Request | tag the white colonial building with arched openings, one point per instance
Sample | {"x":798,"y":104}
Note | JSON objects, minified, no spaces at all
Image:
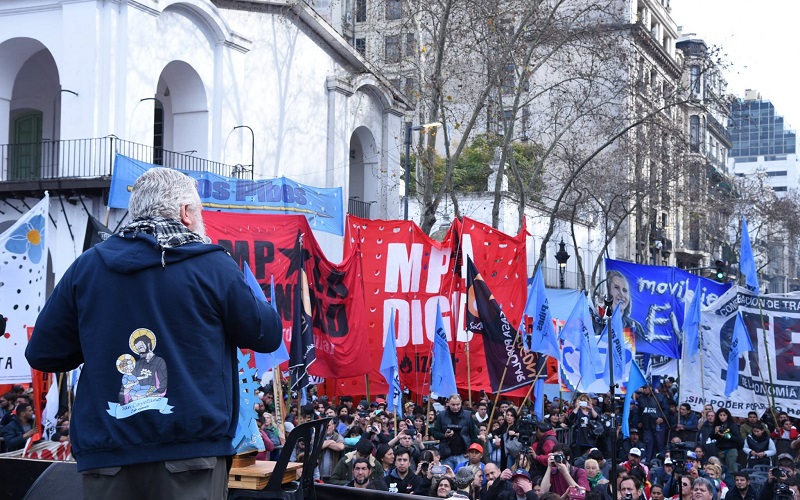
{"x":257,"y":89}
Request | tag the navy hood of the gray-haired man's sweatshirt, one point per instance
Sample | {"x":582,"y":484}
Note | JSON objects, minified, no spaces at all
{"x":131,"y":253}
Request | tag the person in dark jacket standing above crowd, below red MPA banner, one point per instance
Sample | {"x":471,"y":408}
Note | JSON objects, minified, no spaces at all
{"x":455,"y":429}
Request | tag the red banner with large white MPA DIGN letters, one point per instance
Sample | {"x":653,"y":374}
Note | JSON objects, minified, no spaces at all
{"x":406,"y":270}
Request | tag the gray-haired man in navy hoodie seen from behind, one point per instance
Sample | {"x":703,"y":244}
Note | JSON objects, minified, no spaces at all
{"x":154,"y":299}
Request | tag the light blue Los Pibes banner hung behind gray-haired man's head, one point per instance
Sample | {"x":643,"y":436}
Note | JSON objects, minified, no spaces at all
{"x":323,"y":207}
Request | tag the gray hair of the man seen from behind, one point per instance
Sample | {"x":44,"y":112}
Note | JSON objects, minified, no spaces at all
{"x":161,"y":192}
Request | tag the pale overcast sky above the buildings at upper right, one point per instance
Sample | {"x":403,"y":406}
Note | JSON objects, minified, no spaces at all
{"x":759,"y":39}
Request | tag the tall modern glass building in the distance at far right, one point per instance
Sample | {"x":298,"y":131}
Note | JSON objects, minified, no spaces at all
{"x":762,"y":142}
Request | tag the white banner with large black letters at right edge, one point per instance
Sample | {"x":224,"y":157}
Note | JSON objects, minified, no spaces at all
{"x":780,"y":354}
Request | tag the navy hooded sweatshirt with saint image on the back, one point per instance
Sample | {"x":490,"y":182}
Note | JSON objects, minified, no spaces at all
{"x":157,"y":329}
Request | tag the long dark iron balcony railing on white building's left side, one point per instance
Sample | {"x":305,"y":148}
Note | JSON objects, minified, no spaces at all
{"x":94,"y":158}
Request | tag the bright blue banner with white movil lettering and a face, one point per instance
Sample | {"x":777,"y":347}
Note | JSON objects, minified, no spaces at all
{"x":652,"y":300}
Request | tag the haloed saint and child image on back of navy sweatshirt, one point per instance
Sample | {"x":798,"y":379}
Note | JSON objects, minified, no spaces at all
{"x":144,"y":380}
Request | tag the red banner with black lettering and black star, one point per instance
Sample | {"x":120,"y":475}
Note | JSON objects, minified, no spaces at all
{"x":269,"y":244}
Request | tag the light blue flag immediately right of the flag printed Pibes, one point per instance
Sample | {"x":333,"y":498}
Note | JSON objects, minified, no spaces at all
{"x":580,"y":342}
